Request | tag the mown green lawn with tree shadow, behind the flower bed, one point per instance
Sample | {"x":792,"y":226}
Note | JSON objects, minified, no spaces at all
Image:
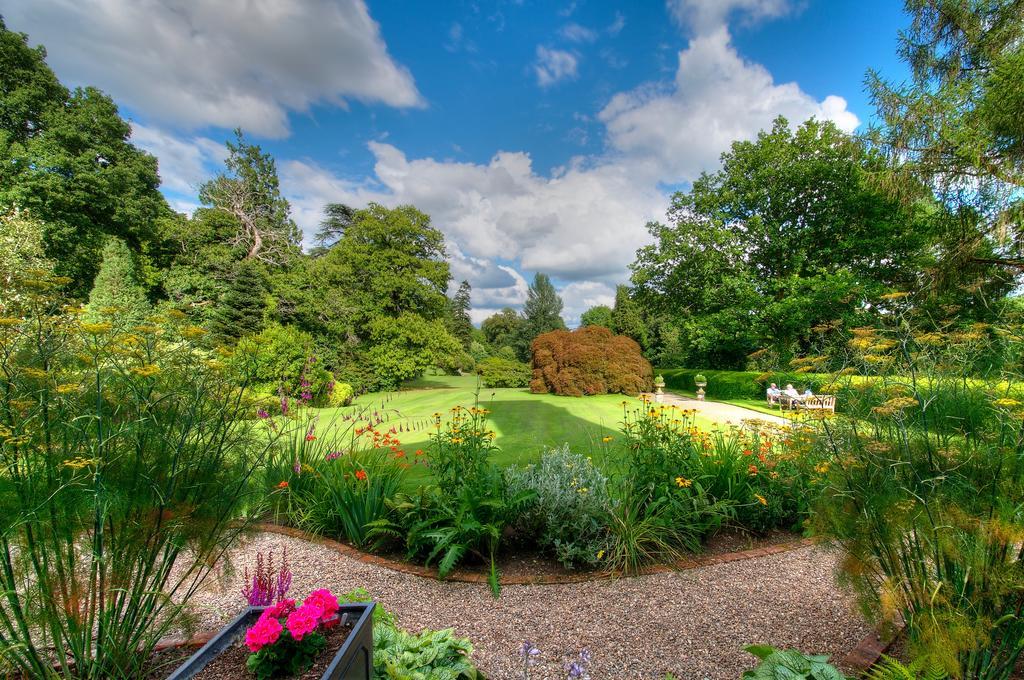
{"x":526,"y":423}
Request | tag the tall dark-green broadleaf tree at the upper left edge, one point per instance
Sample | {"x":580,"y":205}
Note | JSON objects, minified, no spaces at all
{"x":67,"y":158}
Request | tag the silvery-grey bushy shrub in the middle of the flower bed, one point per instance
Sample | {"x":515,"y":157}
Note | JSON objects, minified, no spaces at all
{"x":567,"y":516}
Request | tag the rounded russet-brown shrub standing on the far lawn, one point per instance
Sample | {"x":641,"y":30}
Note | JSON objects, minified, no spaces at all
{"x":588,"y":361}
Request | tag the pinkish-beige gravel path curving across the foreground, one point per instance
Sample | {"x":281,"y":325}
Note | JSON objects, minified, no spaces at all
{"x":693,"y":623}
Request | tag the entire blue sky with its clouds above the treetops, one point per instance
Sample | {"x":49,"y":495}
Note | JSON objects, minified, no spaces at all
{"x":539,"y":136}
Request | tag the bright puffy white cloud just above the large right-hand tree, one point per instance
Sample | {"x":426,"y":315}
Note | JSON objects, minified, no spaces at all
{"x":679,"y":130}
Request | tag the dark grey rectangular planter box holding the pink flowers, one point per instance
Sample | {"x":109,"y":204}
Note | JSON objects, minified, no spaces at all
{"x":354,"y":662}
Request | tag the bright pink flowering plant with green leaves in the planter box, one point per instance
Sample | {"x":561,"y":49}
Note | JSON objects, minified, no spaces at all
{"x":286,"y":640}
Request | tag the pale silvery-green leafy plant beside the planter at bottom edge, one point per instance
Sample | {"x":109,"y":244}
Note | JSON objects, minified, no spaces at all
{"x":430,"y":656}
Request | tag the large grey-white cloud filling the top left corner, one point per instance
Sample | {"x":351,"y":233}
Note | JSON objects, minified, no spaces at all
{"x":193,"y":64}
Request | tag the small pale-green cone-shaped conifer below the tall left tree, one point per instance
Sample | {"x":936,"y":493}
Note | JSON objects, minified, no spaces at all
{"x":117,"y":290}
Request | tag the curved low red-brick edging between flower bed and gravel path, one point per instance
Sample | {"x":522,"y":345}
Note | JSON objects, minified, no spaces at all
{"x":460,"y":576}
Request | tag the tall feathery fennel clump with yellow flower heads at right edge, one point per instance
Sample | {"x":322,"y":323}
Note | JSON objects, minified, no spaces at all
{"x":929,"y":514}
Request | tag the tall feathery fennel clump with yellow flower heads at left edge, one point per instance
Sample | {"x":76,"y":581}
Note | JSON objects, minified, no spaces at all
{"x":124,"y":454}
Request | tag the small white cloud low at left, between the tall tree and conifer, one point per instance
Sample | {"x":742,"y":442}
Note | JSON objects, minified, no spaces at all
{"x":185,"y":163}
